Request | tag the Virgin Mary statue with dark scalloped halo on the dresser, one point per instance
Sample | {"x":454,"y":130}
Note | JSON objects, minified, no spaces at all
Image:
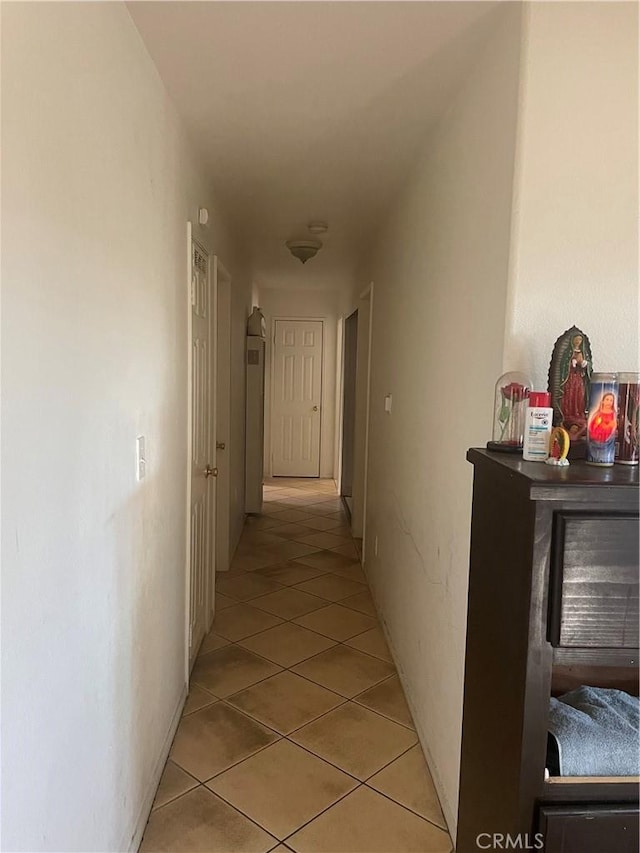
{"x":569,"y":380}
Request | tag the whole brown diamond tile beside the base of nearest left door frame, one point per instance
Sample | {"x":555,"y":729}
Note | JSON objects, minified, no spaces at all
{"x":231,"y":669}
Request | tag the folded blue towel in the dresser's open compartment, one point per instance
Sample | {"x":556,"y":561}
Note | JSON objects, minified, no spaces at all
{"x":597,"y":732}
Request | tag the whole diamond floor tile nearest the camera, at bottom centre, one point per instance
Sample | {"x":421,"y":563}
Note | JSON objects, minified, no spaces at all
{"x":282,"y":787}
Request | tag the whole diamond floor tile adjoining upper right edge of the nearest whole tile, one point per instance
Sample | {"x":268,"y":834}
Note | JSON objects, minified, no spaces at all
{"x":355,"y":739}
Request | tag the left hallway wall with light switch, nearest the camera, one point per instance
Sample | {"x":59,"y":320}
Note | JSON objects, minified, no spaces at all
{"x":98,"y":183}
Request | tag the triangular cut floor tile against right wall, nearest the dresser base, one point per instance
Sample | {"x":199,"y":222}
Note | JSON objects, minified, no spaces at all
{"x":408,"y":781}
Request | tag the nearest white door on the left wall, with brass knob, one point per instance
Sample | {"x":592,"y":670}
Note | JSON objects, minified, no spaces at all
{"x":202,"y":441}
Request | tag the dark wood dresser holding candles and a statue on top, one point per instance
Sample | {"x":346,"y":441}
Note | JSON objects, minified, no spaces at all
{"x":553,"y":604}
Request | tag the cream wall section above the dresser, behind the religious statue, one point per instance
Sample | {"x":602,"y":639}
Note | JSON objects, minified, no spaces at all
{"x":575,"y":245}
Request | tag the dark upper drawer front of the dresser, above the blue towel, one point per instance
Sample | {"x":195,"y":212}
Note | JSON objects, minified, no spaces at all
{"x":593,"y":595}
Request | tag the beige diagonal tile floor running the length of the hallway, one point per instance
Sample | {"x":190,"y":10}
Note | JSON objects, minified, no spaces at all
{"x":296,"y":735}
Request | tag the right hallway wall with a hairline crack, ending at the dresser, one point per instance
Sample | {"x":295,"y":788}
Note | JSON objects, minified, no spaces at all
{"x":440,"y":275}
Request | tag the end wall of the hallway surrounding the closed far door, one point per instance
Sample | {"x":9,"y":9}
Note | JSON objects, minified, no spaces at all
{"x":320,"y":305}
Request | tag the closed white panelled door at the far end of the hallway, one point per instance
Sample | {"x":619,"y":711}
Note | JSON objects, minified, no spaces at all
{"x":297,"y":397}
